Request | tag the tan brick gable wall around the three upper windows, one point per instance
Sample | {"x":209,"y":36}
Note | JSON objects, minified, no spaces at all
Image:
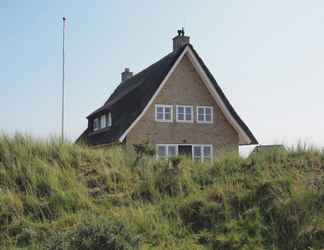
{"x":185,"y":87}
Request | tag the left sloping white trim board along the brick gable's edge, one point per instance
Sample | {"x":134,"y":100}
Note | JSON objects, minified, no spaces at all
{"x":155,"y":94}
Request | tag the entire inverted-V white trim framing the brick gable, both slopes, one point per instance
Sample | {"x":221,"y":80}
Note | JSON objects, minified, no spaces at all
{"x":243,"y":137}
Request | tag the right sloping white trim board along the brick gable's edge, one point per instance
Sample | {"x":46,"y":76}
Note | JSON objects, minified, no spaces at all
{"x":243,"y":137}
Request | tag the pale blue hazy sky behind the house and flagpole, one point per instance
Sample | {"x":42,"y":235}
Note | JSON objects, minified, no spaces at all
{"x":267,"y":56}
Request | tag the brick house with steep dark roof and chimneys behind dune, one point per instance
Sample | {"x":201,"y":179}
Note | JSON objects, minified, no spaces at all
{"x":174,"y":104}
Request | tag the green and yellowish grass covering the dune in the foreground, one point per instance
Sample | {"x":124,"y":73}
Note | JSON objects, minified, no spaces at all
{"x":55,"y":196}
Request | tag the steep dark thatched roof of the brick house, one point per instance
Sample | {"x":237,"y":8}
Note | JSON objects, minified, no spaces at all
{"x":131,"y":99}
